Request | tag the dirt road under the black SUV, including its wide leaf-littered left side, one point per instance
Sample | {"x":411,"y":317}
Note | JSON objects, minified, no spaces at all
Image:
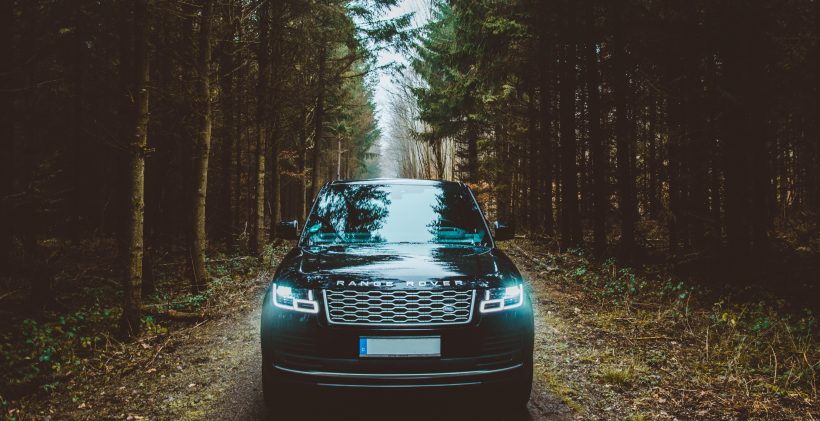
{"x":211,"y":371}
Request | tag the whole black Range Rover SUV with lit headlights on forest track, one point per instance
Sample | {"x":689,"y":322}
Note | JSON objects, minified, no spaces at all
{"x":396,"y":283}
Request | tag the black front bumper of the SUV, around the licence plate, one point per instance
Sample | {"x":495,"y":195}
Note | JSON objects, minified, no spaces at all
{"x":304,"y":350}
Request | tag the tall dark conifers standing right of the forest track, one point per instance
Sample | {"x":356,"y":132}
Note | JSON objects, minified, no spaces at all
{"x":598,"y":116}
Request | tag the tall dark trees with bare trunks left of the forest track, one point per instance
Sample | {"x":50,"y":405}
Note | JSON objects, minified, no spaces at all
{"x":176,"y":123}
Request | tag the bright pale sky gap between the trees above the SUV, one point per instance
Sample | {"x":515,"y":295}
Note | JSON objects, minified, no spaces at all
{"x":421,"y":8}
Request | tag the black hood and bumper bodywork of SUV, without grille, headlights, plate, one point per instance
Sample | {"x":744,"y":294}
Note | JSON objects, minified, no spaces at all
{"x":308,"y":342}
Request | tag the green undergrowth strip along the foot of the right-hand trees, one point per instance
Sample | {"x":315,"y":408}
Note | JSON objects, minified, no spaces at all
{"x":759,"y":348}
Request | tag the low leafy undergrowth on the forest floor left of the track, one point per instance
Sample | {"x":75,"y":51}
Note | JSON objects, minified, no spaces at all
{"x":70,"y":352}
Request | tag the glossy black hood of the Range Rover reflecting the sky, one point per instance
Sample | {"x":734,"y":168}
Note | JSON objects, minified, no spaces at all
{"x":394,"y":266}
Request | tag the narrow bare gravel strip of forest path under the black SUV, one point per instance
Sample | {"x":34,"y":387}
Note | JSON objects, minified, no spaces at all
{"x":233,"y":374}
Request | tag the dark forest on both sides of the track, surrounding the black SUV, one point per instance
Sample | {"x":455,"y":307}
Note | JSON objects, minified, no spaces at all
{"x":149,"y":148}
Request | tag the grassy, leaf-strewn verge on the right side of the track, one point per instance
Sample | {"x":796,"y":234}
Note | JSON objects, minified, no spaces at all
{"x":645,"y":342}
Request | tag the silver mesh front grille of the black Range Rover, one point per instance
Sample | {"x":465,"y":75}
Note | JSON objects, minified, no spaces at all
{"x":397,"y":308}
